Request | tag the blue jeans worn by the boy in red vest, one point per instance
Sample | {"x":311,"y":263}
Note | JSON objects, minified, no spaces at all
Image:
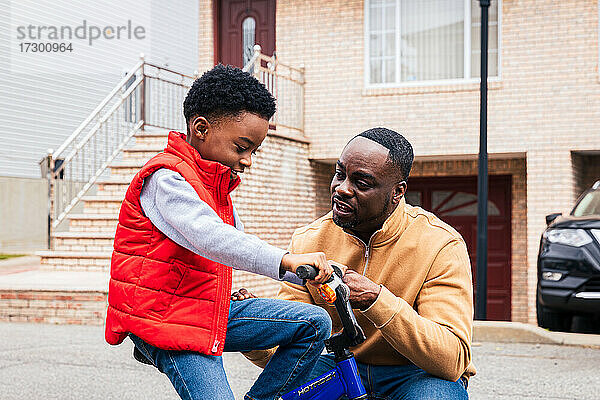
{"x":297,"y":328}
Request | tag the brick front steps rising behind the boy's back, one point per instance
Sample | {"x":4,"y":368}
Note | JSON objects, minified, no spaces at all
{"x":71,"y":284}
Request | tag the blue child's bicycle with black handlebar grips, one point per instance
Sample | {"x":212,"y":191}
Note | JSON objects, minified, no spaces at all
{"x":344,"y":379}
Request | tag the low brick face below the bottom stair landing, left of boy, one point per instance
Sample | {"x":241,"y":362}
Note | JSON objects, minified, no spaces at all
{"x":53,"y":307}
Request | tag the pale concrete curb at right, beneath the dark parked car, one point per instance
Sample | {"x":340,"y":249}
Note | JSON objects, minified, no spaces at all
{"x":518,"y":332}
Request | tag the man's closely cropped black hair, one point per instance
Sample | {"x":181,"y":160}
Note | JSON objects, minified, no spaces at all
{"x":401,"y":153}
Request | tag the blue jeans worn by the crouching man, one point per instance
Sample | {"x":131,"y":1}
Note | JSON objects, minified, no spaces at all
{"x":395,"y":382}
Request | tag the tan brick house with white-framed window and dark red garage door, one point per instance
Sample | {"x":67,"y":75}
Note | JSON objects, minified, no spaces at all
{"x":369,"y":63}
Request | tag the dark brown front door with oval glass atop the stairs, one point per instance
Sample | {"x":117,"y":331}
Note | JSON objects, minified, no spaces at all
{"x":242,"y":24}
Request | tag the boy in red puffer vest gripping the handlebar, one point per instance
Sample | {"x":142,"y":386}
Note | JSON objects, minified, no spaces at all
{"x":176,"y":240}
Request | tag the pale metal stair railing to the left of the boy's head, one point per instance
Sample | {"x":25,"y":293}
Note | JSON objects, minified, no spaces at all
{"x":148,"y":95}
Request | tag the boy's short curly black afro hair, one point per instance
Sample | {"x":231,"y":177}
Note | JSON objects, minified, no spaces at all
{"x":226,"y":91}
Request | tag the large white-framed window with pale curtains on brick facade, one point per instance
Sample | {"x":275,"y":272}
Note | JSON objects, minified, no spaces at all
{"x":427,"y":40}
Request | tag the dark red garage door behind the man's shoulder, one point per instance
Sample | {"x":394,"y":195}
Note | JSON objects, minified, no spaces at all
{"x":454,"y":200}
